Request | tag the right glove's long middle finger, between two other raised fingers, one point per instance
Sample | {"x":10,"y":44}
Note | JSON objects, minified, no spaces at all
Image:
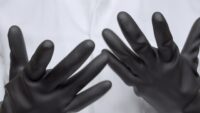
{"x":135,"y":37}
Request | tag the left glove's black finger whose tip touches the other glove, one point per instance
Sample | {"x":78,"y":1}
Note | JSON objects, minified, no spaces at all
{"x":82,"y":78}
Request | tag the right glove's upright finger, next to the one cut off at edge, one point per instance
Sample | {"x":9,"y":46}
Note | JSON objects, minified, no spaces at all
{"x":166,"y":45}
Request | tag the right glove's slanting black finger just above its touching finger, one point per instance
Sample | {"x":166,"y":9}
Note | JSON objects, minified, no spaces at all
{"x":121,"y":50}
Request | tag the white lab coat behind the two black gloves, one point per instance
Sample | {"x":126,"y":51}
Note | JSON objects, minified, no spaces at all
{"x":68,"y":22}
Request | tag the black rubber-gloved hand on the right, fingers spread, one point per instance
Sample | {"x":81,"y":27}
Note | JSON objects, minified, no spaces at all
{"x":166,"y":78}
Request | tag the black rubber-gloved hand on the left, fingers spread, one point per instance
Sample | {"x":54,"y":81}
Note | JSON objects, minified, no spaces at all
{"x":33,"y":89}
